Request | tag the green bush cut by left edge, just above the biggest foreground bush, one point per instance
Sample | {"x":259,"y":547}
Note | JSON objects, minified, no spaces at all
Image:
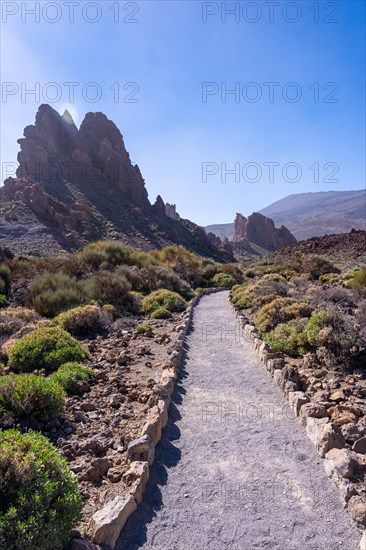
{"x":24,"y":395}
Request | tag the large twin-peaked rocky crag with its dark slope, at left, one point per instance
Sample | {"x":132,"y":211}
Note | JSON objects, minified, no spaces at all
{"x":75,"y":186}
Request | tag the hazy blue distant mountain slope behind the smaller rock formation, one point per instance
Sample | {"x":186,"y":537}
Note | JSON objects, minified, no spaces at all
{"x":309,"y":215}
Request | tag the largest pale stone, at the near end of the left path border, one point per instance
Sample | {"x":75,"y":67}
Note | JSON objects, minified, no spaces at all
{"x":107,"y":523}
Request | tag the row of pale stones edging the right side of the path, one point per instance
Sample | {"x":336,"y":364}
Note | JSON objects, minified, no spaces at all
{"x":339,"y":462}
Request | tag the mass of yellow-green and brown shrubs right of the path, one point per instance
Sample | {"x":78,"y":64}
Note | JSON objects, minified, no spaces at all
{"x":306,"y":304}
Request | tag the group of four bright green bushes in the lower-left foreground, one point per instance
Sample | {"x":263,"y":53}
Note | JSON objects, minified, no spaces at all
{"x":39,"y":499}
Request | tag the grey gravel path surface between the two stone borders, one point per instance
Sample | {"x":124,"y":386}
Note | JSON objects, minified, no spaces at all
{"x":234,"y":470}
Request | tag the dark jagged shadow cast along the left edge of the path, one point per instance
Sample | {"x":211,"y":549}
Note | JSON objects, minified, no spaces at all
{"x":133,"y":535}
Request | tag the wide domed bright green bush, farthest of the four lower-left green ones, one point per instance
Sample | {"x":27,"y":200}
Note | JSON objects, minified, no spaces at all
{"x":45,"y":348}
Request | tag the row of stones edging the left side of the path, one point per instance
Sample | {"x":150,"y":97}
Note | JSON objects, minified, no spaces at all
{"x":108,"y":522}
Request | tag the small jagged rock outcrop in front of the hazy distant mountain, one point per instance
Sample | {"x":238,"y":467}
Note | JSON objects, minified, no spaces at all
{"x":260,"y":230}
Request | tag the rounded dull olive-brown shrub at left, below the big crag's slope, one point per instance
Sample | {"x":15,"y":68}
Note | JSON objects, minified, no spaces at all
{"x":55,"y":292}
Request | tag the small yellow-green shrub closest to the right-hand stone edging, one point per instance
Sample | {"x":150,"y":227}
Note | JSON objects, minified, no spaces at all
{"x":288,"y":337}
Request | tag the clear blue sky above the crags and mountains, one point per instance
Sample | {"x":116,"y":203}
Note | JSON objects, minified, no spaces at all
{"x":225,"y":106}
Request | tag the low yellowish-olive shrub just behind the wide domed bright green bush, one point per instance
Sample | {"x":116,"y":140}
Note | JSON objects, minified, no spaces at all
{"x":83,"y":320}
